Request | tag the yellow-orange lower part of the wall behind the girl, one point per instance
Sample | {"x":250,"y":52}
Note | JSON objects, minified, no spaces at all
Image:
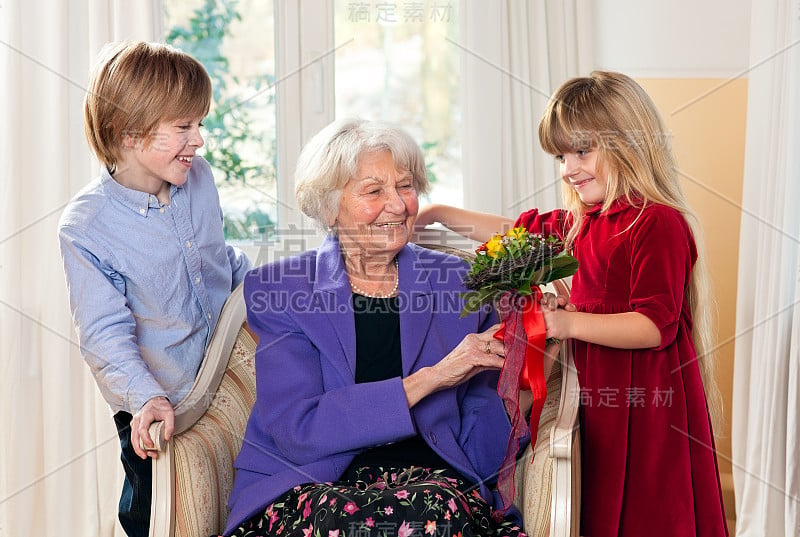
{"x":708,"y":138}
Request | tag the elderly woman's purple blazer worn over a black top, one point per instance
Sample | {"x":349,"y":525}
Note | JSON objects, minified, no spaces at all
{"x":310,"y":417}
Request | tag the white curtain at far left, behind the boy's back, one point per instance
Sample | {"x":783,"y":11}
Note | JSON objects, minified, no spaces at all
{"x":59,"y":454}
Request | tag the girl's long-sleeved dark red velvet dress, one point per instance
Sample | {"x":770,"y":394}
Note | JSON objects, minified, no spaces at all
{"x":649,"y":468}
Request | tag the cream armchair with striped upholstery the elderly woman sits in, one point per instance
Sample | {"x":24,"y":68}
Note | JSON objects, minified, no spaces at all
{"x":193,"y":474}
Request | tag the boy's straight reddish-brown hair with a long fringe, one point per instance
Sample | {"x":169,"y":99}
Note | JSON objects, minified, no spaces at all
{"x":136,"y":85}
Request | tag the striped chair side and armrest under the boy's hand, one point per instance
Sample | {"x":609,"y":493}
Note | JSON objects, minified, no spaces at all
{"x":193,"y":472}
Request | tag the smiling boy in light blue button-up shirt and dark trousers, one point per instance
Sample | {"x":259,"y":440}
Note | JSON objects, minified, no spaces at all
{"x":143,"y":250}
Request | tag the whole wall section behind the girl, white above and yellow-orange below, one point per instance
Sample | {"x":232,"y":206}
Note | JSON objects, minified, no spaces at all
{"x":692,"y":58}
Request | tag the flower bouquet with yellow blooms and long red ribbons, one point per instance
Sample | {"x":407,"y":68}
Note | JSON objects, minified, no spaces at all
{"x":508,"y":270}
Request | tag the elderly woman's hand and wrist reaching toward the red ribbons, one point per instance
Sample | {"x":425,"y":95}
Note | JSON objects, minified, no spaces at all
{"x":475,"y":353}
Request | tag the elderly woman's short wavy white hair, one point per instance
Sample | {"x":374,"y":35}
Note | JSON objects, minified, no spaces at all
{"x":331,"y":157}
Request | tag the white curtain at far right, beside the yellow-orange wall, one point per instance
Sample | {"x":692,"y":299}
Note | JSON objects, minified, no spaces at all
{"x":765,"y":434}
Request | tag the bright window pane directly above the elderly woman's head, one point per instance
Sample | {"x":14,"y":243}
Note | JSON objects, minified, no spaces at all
{"x":397,"y":62}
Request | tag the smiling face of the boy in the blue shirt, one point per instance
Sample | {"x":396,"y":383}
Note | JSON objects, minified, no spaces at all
{"x":152,"y":165}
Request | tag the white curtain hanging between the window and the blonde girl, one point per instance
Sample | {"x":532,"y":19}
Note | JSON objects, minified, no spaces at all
{"x":515,"y":55}
